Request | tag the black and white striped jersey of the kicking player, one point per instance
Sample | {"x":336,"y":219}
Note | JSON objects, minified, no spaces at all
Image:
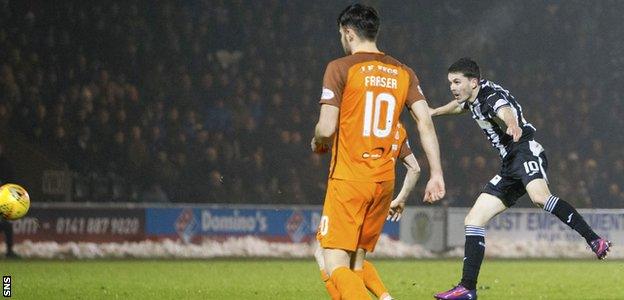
{"x":490,"y":99}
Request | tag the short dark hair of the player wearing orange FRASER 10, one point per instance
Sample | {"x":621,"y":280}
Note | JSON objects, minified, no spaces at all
{"x":361,"y":18}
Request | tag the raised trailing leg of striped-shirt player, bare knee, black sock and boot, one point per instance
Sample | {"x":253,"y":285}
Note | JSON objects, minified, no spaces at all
{"x":540,"y":195}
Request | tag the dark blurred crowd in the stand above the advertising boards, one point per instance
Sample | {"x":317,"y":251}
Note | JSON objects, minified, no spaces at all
{"x":215,"y":101}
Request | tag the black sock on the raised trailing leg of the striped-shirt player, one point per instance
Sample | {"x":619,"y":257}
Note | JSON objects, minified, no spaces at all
{"x":567,"y":214}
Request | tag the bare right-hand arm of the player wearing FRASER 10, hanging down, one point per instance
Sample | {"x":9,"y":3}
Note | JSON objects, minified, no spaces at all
{"x":435,"y":189}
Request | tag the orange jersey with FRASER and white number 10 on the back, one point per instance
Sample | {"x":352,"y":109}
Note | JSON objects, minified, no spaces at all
{"x":371,"y":90}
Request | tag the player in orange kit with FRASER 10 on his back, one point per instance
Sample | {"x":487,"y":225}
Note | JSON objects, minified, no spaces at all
{"x":362,"y":98}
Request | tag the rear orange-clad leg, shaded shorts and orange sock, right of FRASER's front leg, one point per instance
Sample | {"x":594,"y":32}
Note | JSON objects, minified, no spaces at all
{"x":371,"y":230}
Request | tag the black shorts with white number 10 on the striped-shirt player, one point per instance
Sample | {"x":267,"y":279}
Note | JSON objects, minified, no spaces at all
{"x":526,"y":161}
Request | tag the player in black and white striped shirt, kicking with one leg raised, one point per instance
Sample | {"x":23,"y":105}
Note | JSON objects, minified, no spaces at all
{"x":523,"y":168}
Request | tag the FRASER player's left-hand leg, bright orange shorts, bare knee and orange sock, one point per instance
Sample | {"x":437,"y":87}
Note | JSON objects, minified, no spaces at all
{"x":339,"y":231}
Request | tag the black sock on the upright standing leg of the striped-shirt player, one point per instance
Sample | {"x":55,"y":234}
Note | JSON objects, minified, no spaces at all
{"x":474,"y":250}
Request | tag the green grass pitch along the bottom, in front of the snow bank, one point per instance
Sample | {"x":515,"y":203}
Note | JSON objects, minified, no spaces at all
{"x":299,"y":279}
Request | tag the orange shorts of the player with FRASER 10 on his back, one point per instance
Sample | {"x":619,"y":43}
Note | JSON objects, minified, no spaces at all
{"x":354,"y":214}
